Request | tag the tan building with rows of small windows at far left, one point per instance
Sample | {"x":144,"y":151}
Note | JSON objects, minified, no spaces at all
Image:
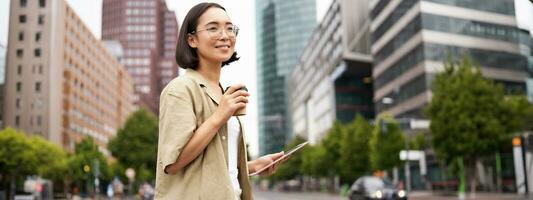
{"x":61,"y":82}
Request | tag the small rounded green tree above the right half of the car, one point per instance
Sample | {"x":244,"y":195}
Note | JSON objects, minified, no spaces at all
{"x":386,"y":143}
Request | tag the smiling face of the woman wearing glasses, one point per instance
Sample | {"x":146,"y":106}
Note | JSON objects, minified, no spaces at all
{"x":214,"y":38}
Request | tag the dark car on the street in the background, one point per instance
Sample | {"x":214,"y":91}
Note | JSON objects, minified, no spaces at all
{"x":375,"y":188}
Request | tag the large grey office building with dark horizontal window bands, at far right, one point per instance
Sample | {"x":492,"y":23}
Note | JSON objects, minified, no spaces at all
{"x":411,"y":39}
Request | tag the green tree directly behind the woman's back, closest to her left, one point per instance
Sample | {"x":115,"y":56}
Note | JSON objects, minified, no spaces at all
{"x":135,"y":145}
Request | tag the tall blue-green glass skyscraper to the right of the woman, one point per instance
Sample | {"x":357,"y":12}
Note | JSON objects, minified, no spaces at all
{"x":283,"y":28}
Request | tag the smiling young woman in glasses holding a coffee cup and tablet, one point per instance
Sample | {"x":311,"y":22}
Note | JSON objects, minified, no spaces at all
{"x":201,"y":149}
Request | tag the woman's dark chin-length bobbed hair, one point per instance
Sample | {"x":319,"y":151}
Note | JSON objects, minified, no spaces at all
{"x":186,"y":56}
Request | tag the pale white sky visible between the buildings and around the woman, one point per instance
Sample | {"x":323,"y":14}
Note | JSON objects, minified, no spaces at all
{"x":242,"y":13}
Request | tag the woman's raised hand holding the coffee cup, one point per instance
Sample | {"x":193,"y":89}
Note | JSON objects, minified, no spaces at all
{"x":231,"y":100}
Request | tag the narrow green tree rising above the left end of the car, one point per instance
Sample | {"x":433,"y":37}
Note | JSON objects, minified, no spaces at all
{"x":355,"y":150}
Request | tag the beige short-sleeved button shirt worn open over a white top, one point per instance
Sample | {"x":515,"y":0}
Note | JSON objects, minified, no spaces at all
{"x":186,"y":102}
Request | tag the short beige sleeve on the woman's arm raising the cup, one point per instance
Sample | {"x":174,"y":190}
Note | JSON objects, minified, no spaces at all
{"x":177,"y":124}
